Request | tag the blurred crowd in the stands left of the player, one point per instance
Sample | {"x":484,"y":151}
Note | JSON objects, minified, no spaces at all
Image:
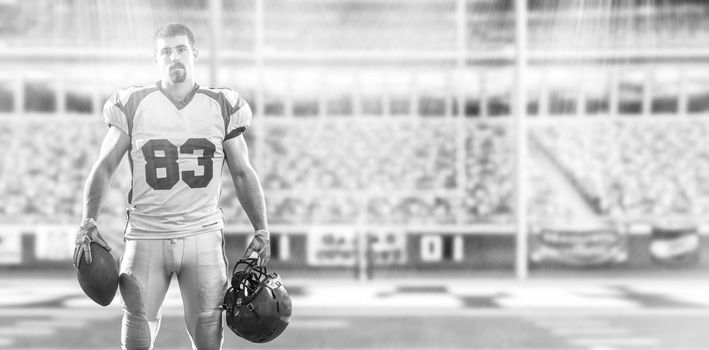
{"x":44,"y":165}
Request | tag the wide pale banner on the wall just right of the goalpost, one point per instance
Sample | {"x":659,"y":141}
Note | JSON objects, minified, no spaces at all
{"x":579,"y":247}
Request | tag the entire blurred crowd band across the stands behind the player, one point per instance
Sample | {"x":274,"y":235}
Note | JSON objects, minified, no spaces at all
{"x":390,"y":170}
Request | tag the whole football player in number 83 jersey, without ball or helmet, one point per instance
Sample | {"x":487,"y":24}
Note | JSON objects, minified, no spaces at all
{"x":178,"y":136}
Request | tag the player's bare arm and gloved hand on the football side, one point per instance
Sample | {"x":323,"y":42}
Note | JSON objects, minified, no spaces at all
{"x":115,"y":145}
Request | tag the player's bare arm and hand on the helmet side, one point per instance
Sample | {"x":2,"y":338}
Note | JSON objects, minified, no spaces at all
{"x":250,"y":195}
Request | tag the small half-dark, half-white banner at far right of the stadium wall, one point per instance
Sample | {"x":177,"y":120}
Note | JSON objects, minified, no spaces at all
{"x":674,"y":246}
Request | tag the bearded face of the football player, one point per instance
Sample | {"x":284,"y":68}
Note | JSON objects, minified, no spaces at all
{"x":175,"y":59}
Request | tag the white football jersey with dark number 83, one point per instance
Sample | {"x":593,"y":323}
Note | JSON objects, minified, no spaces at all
{"x":176,"y":156}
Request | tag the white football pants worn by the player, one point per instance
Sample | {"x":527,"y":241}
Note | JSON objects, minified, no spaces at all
{"x":146,"y":270}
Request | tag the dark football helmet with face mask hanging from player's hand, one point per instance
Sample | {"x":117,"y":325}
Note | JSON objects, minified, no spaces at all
{"x":257,"y":305}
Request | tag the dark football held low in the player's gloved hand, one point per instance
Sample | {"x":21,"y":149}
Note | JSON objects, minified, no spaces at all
{"x":99,"y":280}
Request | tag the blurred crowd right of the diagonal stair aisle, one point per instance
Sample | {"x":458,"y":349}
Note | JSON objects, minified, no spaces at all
{"x":634,"y":169}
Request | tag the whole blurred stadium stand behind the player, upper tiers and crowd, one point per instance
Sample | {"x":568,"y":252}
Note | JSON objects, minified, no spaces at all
{"x":345,"y":134}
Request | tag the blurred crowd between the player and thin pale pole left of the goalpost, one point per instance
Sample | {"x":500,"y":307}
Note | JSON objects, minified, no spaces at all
{"x":339,"y":170}
